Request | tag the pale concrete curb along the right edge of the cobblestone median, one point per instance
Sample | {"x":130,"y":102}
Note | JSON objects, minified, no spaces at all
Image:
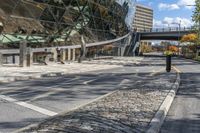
{"x":157,"y":121}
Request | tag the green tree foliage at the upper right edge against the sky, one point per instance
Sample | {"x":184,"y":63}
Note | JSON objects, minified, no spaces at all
{"x":196,"y":19}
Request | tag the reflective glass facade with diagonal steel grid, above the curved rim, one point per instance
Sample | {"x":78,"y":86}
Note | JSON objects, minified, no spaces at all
{"x":64,"y":21}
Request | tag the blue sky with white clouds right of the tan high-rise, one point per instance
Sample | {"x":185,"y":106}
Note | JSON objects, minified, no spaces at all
{"x":171,"y":12}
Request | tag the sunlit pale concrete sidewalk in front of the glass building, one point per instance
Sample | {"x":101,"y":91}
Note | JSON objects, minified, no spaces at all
{"x":10,"y":73}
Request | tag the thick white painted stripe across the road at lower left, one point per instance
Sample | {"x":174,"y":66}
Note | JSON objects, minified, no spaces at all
{"x":29,"y":106}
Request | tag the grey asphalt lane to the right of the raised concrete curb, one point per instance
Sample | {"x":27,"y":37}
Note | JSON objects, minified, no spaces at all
{"x":184,"y":114}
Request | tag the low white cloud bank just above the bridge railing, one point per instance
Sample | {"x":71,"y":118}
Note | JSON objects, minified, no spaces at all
{"x":173,"y":22}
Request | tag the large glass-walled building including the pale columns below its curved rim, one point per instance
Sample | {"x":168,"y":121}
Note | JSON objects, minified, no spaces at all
{"x":57,"y":28}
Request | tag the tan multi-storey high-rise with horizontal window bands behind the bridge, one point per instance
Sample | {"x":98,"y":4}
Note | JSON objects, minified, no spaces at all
{"x":143,"y":19}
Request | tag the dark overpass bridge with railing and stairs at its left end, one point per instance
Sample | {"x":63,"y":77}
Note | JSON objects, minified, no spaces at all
{"x":170,"y":33}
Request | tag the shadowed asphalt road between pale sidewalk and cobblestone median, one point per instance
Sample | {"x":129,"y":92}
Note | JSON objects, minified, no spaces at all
{"x":26,"y":102}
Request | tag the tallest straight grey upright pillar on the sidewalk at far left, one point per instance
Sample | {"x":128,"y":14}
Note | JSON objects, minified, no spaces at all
{"x":22,"y":54}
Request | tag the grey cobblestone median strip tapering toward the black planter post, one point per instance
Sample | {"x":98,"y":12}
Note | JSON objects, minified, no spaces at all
{"x":128,"y":110}
